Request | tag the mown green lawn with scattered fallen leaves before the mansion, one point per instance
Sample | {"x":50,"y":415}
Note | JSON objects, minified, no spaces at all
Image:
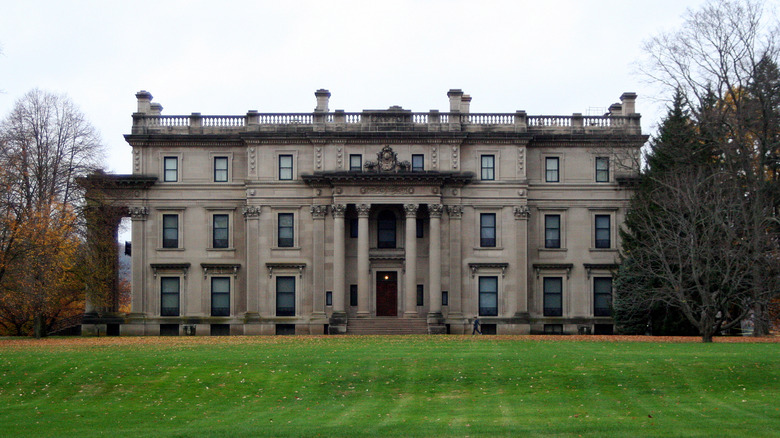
{"x":386,"y":386}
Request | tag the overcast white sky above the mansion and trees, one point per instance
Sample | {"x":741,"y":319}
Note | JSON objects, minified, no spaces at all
{"x":227,"y":57}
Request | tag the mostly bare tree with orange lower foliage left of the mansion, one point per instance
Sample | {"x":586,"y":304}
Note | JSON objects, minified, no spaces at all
{"x":45,"y":145}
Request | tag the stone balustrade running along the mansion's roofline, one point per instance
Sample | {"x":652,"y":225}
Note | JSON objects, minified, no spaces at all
{"x":471,"y":122}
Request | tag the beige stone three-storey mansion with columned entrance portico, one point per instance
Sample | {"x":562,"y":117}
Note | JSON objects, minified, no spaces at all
{"x":335,"y":222}
